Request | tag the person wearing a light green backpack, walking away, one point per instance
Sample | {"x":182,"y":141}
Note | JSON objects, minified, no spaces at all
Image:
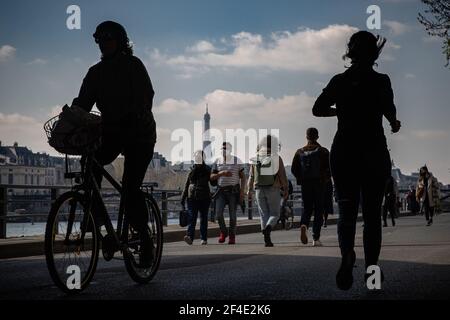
{"x":267,"y":176}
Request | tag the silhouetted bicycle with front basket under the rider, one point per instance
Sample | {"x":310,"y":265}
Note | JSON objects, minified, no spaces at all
{"x":73,"y":237}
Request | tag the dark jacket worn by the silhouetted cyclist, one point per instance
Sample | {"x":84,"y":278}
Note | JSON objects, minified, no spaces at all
{"x":122,"y":91}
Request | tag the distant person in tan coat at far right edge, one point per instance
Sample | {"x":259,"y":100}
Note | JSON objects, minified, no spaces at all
{"x":427,"y":193}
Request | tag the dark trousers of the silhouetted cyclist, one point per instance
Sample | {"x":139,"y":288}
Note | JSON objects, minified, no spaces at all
{"x":137,"y":157}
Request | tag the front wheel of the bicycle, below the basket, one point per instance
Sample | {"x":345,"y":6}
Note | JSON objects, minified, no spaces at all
{"x":71,"y":243}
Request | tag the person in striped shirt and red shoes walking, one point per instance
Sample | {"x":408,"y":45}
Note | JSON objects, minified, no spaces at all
{"x":228,"y":171}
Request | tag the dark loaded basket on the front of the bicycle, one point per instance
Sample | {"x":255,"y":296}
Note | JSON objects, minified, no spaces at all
{"x":74,"y":131}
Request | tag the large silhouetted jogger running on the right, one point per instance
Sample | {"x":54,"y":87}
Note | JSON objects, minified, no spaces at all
{"x":360,"y":160}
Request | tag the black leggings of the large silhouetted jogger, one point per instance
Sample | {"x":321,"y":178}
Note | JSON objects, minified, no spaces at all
{"x":360,"y":176}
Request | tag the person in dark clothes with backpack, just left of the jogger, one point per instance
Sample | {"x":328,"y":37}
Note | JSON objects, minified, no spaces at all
{"x":311,"y":168}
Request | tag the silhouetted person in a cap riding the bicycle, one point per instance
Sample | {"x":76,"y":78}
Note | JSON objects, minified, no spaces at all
{"x":121,"y":88}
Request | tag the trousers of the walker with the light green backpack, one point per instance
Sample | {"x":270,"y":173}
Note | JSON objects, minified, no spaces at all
{"x":268,"y":200}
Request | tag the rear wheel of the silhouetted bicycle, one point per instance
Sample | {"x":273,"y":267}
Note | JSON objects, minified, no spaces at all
{"x":132,"y":241}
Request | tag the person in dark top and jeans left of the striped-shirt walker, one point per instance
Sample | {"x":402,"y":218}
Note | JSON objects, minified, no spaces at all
{"x":198,"y":195}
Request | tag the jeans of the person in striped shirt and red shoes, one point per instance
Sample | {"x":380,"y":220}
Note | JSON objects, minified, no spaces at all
{"x":232,"y":199}
